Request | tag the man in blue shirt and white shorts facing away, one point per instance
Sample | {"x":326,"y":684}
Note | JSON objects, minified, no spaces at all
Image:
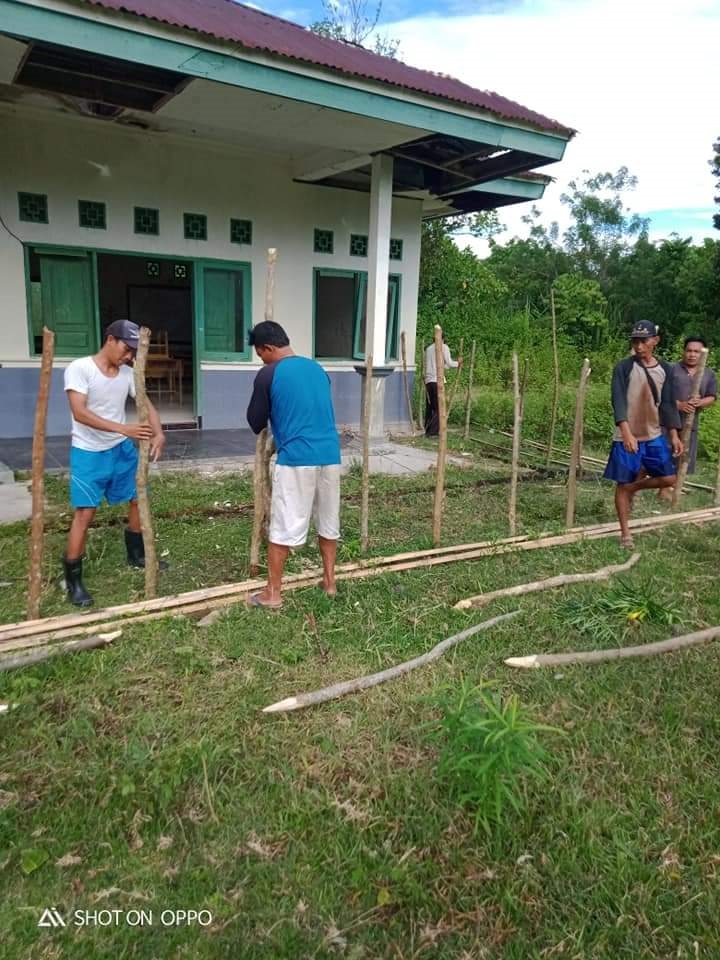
{"x":293,"y":394}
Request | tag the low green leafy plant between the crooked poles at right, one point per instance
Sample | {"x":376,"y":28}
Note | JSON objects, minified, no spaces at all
{"x":623,"y":606}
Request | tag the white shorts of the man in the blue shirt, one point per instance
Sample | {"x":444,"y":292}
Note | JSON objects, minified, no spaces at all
{"x":300,"y":493}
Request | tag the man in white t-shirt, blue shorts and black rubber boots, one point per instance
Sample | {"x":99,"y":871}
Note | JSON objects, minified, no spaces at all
{"x":103,"y":457}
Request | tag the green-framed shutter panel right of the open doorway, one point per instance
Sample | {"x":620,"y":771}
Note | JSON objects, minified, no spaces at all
{"x":223,"y":305}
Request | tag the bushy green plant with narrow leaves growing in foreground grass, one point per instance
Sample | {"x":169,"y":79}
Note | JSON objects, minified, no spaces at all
{"x":489,"y":750}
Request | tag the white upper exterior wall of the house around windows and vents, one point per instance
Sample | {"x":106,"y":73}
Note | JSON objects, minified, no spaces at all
{"x":51,"y":154}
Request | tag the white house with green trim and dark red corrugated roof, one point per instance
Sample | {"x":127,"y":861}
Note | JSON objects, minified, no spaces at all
{"x":153,"y":150}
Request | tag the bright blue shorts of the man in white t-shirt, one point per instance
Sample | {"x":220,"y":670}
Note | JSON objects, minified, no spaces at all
{"x":98,"y":474}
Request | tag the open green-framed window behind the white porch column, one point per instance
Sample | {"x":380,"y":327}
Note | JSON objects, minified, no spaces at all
{"x":340,"y":312}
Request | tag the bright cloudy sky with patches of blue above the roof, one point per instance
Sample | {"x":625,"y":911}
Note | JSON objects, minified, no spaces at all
{"x":633,"y":77}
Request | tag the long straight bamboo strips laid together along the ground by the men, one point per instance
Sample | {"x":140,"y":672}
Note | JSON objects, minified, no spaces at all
{"x":196,"y":602}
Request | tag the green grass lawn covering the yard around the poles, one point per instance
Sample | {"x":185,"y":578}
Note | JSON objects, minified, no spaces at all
{"x":145,"y":777}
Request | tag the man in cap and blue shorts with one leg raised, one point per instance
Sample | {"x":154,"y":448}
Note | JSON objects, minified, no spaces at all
{"x":643,"y":403}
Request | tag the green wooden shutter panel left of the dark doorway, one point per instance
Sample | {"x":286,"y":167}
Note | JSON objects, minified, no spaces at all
{"x":61,"y":297}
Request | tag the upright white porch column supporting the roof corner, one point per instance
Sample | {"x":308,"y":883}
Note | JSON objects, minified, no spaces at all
{"x":378,"y":257}
